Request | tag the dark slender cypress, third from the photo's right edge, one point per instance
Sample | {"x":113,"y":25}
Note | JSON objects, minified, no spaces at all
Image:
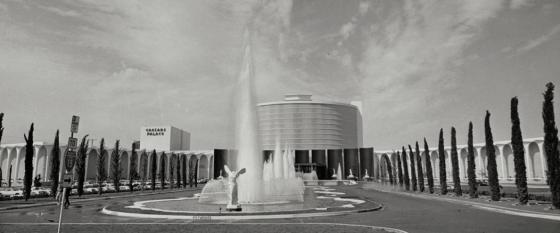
{"x":491,"y":167}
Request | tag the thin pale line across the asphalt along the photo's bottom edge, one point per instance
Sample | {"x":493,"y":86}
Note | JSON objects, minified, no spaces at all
{"x":388,"y":229}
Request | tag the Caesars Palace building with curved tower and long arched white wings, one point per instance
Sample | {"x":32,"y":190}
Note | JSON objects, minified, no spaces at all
{"x":324,"y":135}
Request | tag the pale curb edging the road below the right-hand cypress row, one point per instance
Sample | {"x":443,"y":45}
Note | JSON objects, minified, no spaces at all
{"x":488,"y":207}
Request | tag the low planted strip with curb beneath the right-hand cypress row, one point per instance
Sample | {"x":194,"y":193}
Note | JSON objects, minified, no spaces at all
{"x":536,"y":209}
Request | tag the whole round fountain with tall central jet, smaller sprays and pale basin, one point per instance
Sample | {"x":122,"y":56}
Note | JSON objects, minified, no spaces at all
{"x":270,"y":186}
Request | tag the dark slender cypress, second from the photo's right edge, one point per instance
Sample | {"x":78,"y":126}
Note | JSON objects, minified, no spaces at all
{"x":518,"y":154}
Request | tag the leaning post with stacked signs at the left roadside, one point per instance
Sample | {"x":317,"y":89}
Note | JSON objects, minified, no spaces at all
{"x":69,"y":161}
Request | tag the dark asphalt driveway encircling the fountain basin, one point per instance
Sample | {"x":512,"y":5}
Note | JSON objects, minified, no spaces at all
{"x":402,"y":212}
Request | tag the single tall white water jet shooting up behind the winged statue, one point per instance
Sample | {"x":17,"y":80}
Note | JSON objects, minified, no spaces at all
{"x":246,"y":141}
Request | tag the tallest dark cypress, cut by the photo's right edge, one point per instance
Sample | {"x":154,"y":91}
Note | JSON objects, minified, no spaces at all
{"x":551,"y":145}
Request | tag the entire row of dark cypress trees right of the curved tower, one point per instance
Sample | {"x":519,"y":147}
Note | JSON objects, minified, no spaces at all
{"x":550,"y":146}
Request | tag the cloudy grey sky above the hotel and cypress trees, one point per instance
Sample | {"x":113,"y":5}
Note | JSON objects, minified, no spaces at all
{"x":417,"y":66}
